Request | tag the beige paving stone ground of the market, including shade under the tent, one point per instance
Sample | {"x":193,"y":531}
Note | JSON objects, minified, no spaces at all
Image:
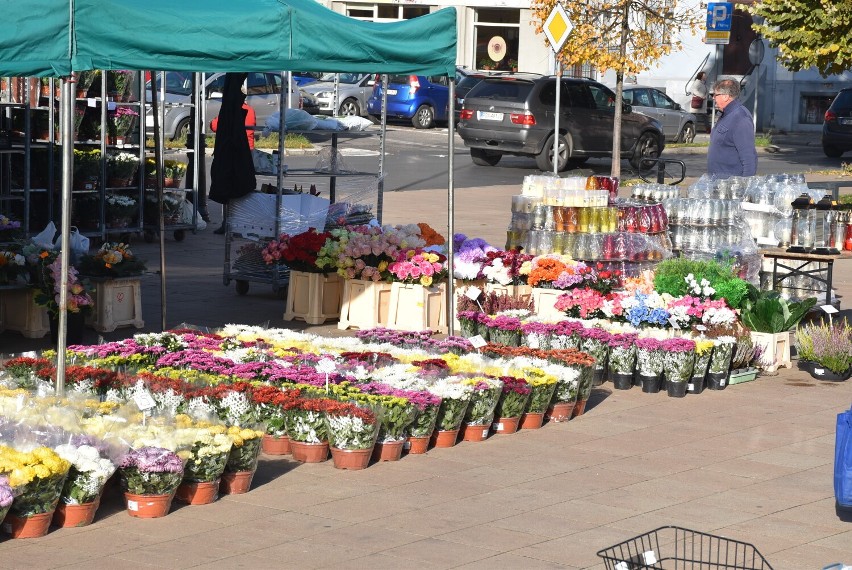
{"x":753,"y":463}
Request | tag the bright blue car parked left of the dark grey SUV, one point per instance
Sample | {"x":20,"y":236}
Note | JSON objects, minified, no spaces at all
{"x":421,"y":99}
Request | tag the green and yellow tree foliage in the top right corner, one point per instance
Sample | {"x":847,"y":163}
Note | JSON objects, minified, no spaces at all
{"x":808,"y":33}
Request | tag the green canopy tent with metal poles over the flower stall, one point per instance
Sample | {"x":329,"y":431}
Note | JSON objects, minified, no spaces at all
{"x":57,"y":37}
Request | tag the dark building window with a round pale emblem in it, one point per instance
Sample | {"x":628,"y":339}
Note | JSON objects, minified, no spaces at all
{"x":496,"y":33}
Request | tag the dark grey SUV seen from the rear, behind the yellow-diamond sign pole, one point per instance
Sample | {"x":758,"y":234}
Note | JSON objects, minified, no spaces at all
{"x":514,"y":114}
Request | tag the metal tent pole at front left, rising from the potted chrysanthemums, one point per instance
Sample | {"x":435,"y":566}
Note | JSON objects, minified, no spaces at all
{"x":67,"y":134}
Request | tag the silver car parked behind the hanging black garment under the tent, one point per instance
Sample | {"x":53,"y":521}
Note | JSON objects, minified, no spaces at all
{"x":262,"y":91}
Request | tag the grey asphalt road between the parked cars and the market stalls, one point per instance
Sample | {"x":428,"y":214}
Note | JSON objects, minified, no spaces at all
{"x":417,"y":159}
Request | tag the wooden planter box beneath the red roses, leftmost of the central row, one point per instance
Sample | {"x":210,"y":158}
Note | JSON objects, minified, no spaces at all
{"x":313,"y":297}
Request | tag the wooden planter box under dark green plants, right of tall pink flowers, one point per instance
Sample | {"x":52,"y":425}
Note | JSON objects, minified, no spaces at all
{"x":118,"y":303}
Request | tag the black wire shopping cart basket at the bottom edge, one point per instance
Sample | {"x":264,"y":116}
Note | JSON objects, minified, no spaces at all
{"x":676,"y":548}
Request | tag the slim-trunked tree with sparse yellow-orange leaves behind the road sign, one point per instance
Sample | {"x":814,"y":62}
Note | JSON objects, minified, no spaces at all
{"x":627,"y":36}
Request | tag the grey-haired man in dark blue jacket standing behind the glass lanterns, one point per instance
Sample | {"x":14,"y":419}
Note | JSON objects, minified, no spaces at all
{"x":732,"y":151}
